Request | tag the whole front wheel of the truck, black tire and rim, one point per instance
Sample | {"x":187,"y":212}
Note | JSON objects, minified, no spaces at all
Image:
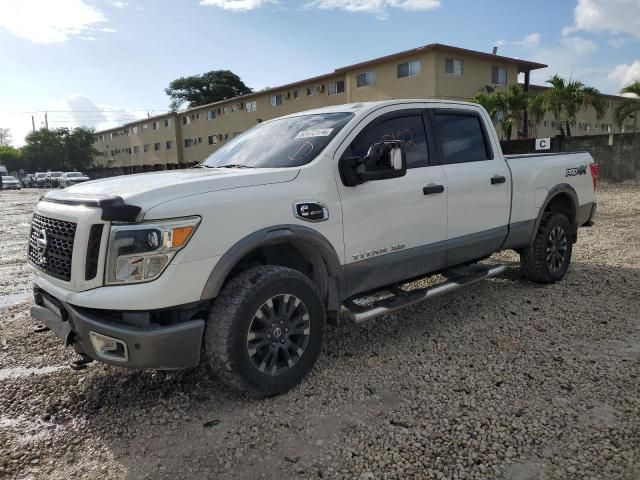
{"x":264,"y":331}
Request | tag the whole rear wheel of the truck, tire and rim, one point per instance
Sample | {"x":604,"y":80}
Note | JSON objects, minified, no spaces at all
{"x":547,"y":258}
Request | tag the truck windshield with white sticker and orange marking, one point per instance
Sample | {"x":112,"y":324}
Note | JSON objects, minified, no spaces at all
{"x":285,"y":142}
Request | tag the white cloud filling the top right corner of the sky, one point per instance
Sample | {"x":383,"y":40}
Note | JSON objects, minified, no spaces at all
{"x":616,"y":16}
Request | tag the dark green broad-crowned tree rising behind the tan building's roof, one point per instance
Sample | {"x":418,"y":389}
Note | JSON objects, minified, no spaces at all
{"x":197,"y":90}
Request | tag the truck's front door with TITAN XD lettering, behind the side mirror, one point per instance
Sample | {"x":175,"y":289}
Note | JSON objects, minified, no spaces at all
{"x":394,"y":228}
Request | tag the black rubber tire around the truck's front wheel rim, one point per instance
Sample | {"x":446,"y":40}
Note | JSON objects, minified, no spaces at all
{"x":226,"y":352}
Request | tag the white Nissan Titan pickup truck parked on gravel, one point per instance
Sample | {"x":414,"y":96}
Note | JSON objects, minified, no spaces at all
{"x":239,"y":263}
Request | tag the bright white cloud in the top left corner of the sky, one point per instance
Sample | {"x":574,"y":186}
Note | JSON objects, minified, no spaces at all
{"x":46,"y":21}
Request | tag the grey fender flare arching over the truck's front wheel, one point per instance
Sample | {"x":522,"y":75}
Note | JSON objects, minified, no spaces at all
{"x":308,"y":240}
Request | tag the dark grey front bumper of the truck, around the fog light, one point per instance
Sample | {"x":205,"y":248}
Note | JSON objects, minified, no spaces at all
{"x":157,"y":347}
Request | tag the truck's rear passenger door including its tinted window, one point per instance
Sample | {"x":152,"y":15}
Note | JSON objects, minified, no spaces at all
{"x":478,"y":182}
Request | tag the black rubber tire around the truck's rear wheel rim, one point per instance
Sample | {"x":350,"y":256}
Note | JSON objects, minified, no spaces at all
{"x":533,"y":258}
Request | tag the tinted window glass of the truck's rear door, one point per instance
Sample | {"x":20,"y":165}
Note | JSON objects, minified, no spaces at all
{"x":462,"y":138}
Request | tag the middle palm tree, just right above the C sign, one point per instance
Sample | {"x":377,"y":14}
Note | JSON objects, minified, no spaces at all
{"x":564,"y":99}
